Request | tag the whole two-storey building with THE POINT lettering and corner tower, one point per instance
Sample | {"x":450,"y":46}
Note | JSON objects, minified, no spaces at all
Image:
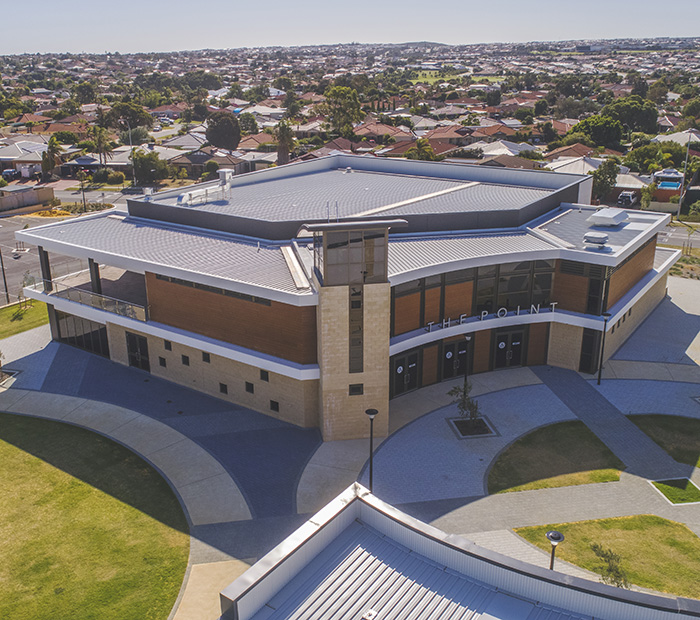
{"x":316,"y":290}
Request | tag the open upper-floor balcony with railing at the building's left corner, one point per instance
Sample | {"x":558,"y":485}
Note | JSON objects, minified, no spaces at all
{"x":123,"y":292}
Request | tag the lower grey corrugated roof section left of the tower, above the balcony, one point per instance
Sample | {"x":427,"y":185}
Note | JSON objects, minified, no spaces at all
{"x":157,"y":244}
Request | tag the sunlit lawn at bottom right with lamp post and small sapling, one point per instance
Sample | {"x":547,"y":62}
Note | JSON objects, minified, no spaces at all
{"x":656,"y":553}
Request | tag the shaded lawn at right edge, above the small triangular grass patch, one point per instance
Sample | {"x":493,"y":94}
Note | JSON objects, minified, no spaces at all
{"x":679,"y":436}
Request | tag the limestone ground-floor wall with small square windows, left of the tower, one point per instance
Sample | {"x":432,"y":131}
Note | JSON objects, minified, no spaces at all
{"x":298,"y":400}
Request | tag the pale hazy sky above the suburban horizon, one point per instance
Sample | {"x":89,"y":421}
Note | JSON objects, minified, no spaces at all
{"x":159,"y":25}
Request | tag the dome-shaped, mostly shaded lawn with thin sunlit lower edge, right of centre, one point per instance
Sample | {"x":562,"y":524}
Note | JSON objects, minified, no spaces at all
{"x":558,"y":455}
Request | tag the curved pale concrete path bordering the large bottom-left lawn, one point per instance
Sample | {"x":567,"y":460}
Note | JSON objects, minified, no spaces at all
{"x":207,"y":493}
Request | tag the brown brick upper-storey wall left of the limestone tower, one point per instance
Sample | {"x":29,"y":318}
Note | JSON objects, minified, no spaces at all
{"x":279,"y":329}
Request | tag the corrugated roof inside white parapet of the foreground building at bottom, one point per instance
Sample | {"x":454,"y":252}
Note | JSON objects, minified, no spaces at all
{"x":362,"y":570}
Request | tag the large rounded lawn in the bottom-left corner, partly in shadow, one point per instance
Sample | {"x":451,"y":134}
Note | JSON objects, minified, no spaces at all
{"x":89,"y":531}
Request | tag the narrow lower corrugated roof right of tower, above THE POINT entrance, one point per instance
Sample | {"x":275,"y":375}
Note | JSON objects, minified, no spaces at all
{"x":413,"y":253}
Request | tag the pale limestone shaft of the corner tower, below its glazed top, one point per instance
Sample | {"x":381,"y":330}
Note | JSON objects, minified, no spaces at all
{"x":343,"y":416}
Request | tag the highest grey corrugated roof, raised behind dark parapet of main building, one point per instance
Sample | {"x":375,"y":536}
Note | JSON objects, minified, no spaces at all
{"x":308,"y":196}
